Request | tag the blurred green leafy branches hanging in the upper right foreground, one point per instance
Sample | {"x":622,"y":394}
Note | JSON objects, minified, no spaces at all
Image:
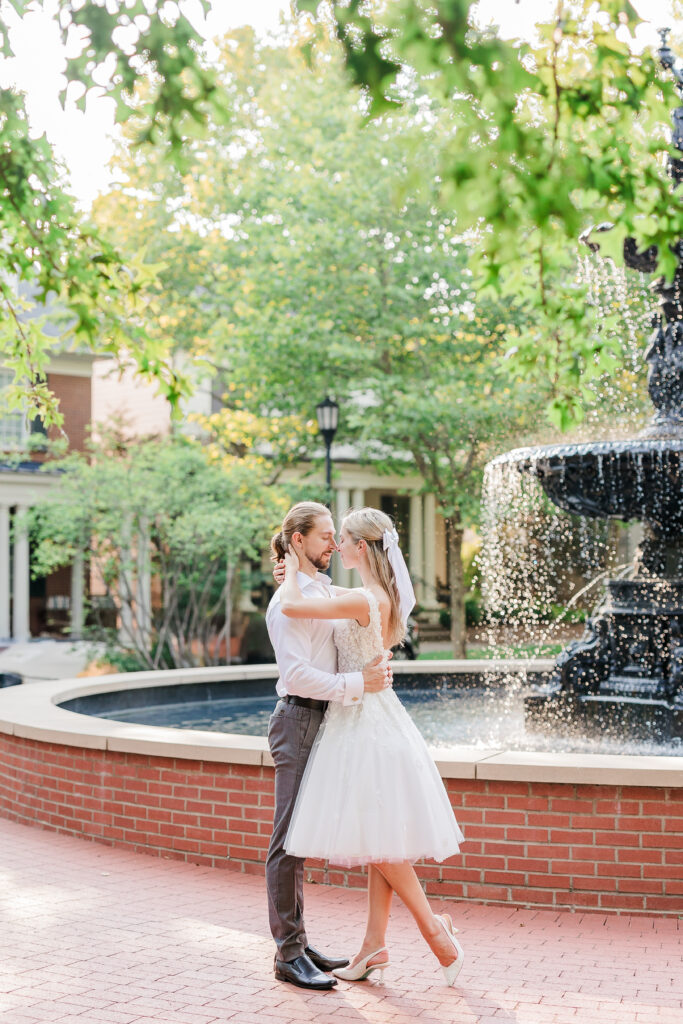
{"x":547,"y":140}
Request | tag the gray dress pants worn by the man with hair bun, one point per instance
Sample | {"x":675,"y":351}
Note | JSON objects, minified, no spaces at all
{"x":291,"y":735}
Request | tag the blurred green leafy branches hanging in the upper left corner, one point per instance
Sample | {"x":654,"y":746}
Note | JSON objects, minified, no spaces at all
{"x":145,"y":55}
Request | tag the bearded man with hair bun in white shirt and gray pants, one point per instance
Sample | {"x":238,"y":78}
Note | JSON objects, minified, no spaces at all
{"x":308,"y":662}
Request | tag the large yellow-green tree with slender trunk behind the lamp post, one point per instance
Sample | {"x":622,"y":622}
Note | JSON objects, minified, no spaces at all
{"x":306,"y":253}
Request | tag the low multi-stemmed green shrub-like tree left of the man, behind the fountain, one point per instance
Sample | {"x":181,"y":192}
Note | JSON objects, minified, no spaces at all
{"x":160,"y":511}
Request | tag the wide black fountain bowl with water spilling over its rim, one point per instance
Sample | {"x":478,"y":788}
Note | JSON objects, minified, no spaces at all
{"x":642,"y":479}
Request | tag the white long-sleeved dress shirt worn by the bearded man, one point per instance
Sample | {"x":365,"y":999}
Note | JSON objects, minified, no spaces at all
{"x":306,"y":651}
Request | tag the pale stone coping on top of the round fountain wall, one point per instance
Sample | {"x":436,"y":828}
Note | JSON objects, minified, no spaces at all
{"x":32,"y":712}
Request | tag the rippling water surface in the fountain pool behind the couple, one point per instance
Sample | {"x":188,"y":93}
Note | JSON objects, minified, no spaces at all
{"x":467,"y":707}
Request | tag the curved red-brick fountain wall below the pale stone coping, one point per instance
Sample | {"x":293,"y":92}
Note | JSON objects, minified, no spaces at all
{"x":605,"y":848}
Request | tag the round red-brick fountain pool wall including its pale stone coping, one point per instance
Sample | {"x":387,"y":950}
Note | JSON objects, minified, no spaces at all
{"x":543,"y":830}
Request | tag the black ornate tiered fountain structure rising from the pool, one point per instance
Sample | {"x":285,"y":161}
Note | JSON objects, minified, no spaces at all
{"x":626,"y":673}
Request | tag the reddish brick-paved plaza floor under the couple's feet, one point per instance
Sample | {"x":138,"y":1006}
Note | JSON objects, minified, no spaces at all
{"x":96,"y":935}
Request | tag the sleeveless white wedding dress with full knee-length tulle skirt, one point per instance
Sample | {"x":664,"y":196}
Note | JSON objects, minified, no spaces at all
{"x":371,"y":791}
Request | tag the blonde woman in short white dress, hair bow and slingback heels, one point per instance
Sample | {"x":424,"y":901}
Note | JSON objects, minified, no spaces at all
{"x":371,"y":793}
